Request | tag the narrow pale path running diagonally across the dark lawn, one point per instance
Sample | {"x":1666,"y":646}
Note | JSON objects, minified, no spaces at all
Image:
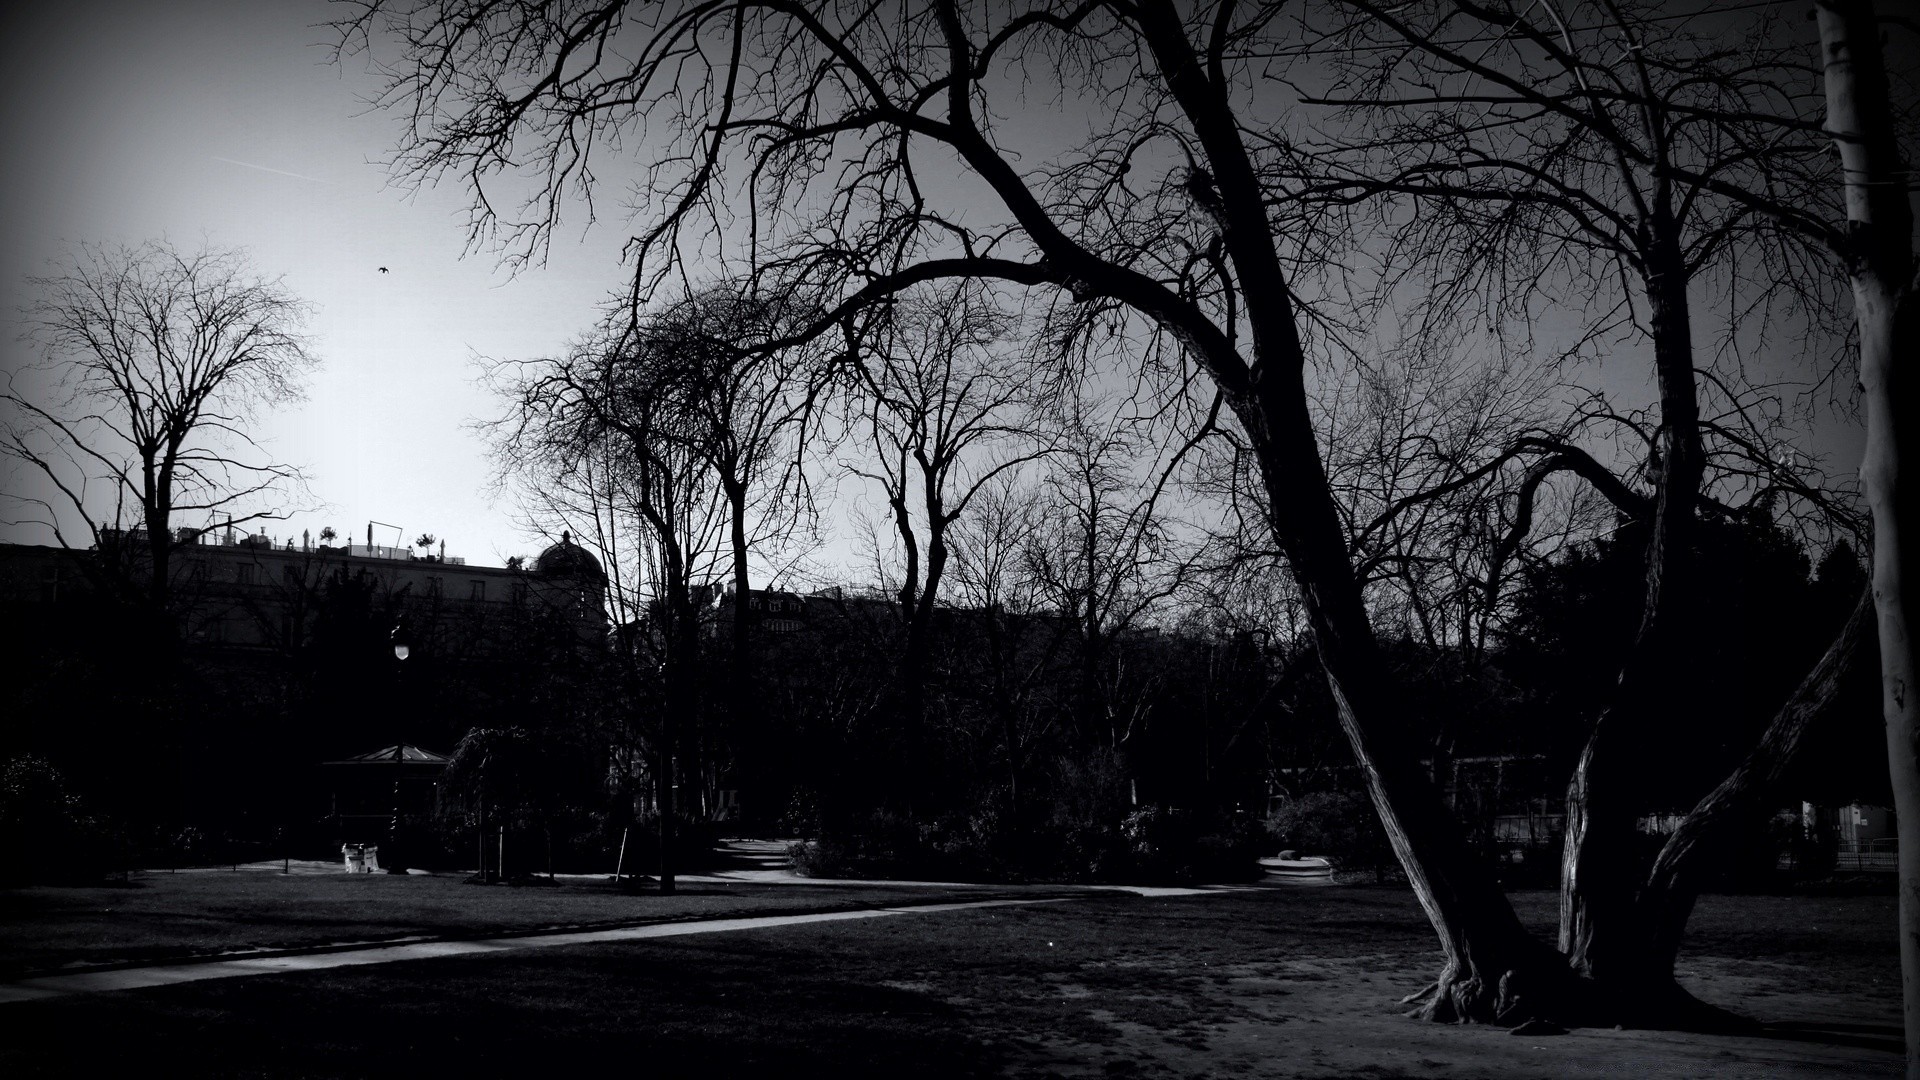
{"x":375,"y":954}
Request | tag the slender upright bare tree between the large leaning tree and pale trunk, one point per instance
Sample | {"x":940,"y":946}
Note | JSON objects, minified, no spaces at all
{"x":1556,"y":149}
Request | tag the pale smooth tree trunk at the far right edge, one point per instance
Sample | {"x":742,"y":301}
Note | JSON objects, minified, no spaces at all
{"x":1879,"y":251}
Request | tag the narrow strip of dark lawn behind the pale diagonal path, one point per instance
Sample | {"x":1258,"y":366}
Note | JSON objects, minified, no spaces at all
{"x":164,"y":916}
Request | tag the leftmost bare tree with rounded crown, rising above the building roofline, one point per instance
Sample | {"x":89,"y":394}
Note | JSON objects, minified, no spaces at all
{"x":155,"y":366}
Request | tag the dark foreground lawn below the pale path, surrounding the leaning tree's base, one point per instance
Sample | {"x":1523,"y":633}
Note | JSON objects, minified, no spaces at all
{"x":1266,"y":983}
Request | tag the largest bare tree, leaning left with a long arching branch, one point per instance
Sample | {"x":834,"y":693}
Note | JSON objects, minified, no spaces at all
{"x":821,"y":143}
